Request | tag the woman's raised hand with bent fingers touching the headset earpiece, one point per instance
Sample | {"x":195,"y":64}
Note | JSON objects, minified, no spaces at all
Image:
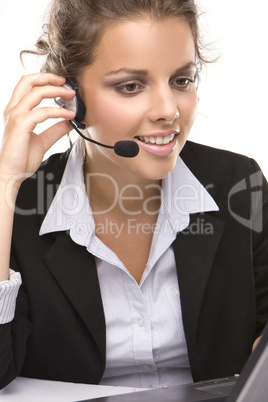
{"x":22,"y":150}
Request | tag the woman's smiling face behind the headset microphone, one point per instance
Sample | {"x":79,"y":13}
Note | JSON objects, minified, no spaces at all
{"x":141,"y":88}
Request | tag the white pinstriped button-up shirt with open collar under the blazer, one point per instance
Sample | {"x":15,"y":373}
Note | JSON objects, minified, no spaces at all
{"x":145,"y":341}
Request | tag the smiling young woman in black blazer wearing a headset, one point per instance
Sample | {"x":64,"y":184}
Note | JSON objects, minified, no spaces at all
{"x":138,"y":269}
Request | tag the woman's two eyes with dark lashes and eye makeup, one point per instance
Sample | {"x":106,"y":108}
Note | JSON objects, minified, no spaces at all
{"x":133,"y":88}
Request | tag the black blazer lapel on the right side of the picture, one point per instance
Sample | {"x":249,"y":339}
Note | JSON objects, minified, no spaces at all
{"x":195,"y":249}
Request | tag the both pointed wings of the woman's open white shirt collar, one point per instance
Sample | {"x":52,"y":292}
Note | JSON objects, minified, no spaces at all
{"x":182,"y":195}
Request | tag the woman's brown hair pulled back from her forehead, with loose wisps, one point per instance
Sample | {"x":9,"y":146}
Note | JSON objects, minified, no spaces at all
{"x":75,"y":27}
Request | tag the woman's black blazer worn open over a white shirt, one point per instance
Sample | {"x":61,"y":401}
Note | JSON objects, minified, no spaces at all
{"x":58,"y":332}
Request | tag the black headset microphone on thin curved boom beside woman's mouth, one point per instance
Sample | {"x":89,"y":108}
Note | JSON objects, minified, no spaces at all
{"x":127,"y":148}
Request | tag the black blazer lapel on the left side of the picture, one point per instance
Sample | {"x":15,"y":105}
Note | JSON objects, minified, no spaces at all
{"x":74,"y":269}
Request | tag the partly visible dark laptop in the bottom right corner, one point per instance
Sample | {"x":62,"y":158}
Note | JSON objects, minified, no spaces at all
{"x":250,"y":386}
